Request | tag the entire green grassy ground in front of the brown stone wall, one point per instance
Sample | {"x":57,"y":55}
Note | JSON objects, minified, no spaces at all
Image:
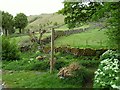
{"x":28,"y":72}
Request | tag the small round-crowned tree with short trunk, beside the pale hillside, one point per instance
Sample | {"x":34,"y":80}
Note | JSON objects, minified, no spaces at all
{"x":20,"y":21}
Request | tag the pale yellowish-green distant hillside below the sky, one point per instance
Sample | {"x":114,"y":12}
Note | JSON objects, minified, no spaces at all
{"x":35,"y":21}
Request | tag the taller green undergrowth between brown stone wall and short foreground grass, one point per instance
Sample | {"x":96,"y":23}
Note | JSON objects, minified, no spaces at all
{"x":29,"y":62}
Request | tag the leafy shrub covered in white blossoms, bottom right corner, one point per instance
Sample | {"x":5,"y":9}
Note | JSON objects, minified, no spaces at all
{"x":107,"y":75}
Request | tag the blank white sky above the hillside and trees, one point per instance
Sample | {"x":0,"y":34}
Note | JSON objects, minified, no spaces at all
{"x":31,"y":7}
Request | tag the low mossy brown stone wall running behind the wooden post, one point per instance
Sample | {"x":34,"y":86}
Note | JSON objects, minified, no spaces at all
{"x":76,"y":51}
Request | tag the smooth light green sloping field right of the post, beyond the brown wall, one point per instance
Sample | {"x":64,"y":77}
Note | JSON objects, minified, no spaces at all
{"x":89,"y":39}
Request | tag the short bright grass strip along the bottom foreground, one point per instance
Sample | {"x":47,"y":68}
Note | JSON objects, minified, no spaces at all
{"x":34,"y":79}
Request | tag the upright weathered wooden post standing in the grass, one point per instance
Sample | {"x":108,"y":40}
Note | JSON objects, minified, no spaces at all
{"x":52,"y":51}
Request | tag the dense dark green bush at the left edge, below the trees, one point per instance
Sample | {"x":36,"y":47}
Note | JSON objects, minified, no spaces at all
{"x":10,"y":50}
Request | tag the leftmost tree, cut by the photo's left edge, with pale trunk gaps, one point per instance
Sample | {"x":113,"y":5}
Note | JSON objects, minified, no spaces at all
{"x":7,"y":23}
